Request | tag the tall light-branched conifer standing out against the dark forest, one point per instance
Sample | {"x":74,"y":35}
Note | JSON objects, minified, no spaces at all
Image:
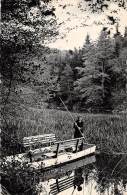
{"x":94,"y":84}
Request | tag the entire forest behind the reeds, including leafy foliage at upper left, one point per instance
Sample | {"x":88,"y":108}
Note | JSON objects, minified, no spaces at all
{"x":90,"y":79}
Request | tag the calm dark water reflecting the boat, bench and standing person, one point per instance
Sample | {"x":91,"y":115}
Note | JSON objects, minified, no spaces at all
{"x":100,"y":175}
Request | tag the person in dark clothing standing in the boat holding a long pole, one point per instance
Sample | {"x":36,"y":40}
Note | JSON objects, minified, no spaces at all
{"x":78,"y":126}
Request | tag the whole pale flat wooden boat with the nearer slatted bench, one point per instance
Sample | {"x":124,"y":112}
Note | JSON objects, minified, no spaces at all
{"x":57,"y":154}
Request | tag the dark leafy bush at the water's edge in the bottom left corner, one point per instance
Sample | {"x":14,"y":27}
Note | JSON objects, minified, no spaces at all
{"x":19,"y":178}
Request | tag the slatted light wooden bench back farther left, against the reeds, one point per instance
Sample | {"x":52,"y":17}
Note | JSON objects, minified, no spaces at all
{"x":38,"y":141}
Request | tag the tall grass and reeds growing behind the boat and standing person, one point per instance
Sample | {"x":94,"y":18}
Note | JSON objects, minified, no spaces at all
{"x":108,"y":132}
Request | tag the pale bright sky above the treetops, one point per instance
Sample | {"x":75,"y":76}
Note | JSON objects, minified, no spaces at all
{"x":75,"y":21}
